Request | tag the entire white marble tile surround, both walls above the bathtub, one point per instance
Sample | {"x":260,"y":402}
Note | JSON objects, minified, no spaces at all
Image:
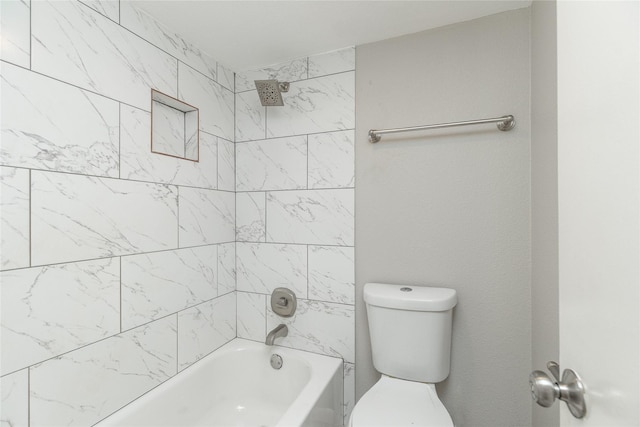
{"x":118,"y":266}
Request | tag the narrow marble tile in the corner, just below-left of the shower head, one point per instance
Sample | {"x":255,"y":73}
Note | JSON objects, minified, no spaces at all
{"x":250,"y":117}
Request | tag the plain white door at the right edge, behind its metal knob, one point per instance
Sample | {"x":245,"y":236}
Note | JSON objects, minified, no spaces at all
{"x":599,"y":190}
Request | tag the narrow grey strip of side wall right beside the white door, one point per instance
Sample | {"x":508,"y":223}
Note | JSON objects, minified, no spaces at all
{"x":544,"y":198}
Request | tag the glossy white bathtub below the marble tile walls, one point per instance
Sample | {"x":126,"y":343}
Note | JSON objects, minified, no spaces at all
{"x":236,"y":386}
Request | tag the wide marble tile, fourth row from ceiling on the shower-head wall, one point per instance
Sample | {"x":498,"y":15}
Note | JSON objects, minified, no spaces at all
{"x":323,"y":217}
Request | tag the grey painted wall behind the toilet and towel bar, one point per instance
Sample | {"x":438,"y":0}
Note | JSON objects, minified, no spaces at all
{"x":452,"y":208}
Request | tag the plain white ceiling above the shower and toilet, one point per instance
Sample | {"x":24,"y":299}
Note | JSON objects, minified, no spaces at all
{"x":251,"y":34}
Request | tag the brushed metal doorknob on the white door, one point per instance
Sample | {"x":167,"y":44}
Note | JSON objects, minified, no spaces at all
{"x":570,"y":389}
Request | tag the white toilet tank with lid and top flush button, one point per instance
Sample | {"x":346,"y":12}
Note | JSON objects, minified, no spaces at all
{"x":410,"y":329}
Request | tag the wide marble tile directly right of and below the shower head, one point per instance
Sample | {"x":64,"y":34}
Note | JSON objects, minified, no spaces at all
{"x":323,"y":104}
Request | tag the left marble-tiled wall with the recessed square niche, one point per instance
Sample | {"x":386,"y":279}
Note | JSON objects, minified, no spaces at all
{"x":117,"y":265}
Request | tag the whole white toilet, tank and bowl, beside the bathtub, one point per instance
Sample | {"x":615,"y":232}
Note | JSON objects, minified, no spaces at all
{"x":410,"y":329}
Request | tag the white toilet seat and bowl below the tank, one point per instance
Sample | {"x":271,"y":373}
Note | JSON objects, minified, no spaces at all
{"x":395,"y":402}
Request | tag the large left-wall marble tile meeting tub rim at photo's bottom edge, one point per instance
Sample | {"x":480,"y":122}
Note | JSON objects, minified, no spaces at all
{"x":84,"y":386}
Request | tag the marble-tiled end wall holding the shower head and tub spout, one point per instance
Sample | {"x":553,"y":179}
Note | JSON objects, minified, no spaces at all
{"x":295,"y":206}
